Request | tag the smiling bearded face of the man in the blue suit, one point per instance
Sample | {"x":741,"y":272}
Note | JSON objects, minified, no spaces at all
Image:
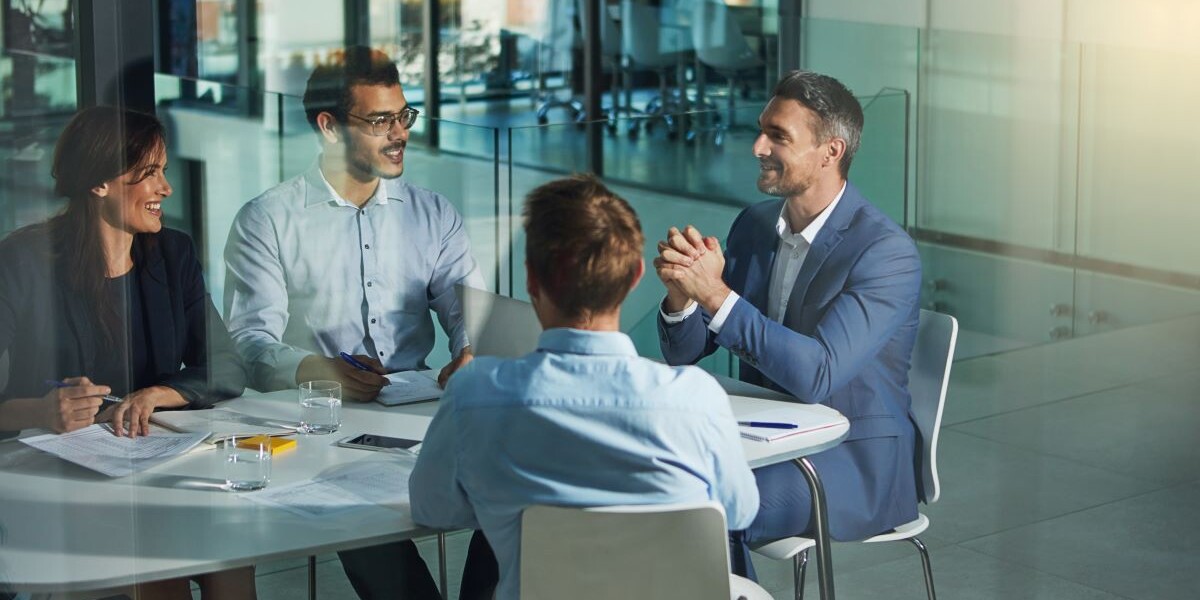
{"x":791,"y":159}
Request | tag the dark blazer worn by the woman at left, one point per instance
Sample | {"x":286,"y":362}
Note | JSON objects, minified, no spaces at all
{"x":50,"y":332}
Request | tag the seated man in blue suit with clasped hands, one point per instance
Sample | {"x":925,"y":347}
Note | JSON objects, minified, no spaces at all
{"x":817,"y":295}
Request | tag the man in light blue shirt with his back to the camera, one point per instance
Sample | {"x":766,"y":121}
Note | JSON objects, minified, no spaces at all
{"x":583,"y":421}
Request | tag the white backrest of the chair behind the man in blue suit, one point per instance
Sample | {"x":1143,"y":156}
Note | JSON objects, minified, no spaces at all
{"x":929,"y":376}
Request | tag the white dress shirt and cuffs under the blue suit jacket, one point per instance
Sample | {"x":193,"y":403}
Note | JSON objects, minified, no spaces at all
{"x":794,"y":248}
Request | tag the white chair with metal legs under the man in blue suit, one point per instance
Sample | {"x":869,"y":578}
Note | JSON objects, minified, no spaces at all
{"x":929,"y":376}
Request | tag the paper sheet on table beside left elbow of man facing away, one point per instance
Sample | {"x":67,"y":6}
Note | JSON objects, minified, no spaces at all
{"x":359,"y":485}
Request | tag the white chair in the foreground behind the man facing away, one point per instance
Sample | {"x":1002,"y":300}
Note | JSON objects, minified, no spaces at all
{"x":665,"y":553}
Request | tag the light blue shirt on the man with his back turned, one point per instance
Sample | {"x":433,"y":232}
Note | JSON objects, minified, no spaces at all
{"x":581,"y":422}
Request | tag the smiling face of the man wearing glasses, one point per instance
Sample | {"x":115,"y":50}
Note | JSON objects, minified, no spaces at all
{"x":369,"y":157}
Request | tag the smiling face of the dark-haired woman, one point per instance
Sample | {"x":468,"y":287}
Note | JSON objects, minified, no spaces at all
{"x":133,"y":202}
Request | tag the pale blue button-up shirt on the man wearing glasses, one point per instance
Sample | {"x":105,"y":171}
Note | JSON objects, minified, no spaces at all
{"x":307,"y":272}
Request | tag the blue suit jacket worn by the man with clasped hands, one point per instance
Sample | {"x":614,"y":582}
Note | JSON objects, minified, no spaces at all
{"x":845,"y":343}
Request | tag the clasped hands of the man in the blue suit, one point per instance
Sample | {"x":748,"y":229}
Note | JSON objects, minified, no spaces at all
{"x":691,"y":266}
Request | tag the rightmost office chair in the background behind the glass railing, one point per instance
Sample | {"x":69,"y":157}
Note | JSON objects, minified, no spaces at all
{"x":721,"y":45}
